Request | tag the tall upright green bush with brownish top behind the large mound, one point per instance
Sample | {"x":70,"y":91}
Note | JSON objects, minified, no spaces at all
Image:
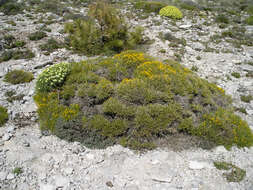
{"x":105,"y":31}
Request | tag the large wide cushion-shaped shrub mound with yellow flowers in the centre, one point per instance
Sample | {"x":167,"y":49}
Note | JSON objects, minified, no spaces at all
{"x":134,"y":100}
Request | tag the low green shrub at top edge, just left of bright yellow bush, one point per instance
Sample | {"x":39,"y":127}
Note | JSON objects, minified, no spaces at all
{"x":149,"y":6}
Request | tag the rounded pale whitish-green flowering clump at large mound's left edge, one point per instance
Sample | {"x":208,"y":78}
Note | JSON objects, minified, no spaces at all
{"x":52,"y":77}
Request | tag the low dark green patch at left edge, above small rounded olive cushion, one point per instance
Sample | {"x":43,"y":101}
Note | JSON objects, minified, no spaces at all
{"x":16,"y":54}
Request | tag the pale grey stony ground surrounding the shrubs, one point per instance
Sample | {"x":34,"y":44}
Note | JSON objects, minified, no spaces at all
{"x":31,"y":160}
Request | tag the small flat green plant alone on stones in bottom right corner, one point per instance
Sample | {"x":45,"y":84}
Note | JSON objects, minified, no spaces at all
{"x":236,"y":174}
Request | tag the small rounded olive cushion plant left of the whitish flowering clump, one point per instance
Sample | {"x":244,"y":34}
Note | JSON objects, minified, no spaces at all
{"x":18,"y":76}
